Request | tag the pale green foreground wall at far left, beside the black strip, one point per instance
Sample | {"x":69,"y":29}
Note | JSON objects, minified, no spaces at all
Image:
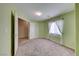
{"x":5,"y":30}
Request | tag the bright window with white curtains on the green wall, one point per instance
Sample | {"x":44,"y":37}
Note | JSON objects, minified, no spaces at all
{"x":56,"y":27}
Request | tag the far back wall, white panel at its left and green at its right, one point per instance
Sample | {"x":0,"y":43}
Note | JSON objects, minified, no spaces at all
{"x":38,"y":29}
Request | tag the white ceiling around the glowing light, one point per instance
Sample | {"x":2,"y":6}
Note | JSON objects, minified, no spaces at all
{"x":48,"y":9}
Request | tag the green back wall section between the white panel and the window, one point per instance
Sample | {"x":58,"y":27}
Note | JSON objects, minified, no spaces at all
{"x":42,"y":28}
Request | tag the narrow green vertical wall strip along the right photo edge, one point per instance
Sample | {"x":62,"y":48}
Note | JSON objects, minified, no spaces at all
{"x":77,"y":28}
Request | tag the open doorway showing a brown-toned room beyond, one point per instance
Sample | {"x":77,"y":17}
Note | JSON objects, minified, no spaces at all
{"x":23,"y":30}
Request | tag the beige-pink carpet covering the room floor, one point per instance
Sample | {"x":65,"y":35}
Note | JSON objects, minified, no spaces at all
{"x":42,"y":47}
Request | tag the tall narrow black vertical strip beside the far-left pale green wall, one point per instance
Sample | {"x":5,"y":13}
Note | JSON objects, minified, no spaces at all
{"x":12,"y":33}
